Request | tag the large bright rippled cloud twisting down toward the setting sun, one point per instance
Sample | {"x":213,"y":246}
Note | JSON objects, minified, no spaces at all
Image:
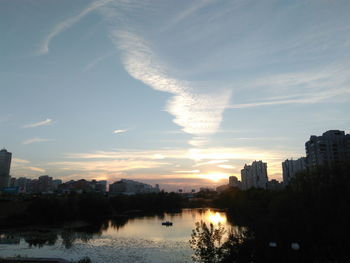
{"x":199,"y":114}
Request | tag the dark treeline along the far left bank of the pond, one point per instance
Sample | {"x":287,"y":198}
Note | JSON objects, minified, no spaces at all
{"x":49,"y":209}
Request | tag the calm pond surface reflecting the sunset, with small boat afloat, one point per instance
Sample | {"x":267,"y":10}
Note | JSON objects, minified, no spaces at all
{"x":139,"y":239}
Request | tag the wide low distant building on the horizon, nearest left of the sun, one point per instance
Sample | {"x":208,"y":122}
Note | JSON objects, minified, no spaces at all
{"x":125,"y":186}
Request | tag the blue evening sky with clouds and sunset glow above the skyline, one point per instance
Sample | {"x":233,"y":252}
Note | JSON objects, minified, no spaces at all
{"x":181,"y":93}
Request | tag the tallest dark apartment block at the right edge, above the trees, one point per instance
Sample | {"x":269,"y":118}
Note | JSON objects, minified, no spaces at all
{"x":332,"y":147}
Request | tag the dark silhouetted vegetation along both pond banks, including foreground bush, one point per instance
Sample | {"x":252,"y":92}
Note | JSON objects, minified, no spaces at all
{"x":311,"y":212}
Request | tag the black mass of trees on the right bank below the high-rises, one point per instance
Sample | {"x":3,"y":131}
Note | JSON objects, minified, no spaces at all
{"x":312,"y":211}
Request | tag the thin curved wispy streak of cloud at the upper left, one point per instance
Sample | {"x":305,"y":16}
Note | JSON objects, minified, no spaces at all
{"x":62,"y":26}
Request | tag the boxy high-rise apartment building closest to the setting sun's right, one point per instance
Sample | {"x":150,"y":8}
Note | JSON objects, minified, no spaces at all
{"x":254,"y":175}
